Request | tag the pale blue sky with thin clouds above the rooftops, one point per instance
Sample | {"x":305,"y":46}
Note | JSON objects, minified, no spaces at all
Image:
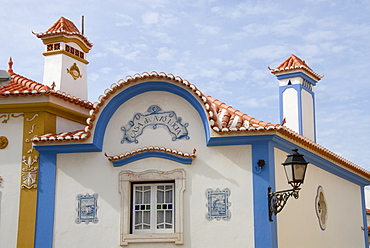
{"x":223,"y":47}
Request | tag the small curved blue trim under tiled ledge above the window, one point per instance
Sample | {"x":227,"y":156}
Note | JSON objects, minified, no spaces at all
{"x":155,"y":154}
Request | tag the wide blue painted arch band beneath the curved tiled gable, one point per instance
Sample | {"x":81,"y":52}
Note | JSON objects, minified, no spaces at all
{"x":135,"y":90}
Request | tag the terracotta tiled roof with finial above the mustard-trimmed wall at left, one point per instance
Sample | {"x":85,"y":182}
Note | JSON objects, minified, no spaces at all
{"x":22,"y":86}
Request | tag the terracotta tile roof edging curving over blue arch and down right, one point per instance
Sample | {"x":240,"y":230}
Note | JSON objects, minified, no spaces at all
{"x":222,"y":118}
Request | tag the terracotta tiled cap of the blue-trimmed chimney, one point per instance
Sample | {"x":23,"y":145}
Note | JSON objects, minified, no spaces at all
{"x":295,"y":63}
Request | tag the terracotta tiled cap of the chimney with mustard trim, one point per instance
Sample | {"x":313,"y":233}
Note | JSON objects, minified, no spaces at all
{"x":65,"y":27}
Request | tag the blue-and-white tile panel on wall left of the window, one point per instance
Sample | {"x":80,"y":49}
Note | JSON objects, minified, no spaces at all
{"x":87,"y":210}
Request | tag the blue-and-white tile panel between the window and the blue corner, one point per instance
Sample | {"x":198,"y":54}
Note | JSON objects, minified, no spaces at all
{"x":218,"y":204}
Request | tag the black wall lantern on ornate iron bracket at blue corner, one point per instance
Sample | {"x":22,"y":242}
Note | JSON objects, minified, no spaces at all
{"x":295,"y":170}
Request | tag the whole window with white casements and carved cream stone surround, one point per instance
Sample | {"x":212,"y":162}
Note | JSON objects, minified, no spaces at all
{"x":152,"y":206}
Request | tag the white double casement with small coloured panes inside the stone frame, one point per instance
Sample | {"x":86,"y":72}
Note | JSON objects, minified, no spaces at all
{"x":153,"y":208}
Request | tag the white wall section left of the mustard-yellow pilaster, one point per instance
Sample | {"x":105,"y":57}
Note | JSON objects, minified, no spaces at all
{"x":10,"y":171}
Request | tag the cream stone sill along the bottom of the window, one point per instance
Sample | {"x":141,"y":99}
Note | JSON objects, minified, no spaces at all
{"x":176,"y":238}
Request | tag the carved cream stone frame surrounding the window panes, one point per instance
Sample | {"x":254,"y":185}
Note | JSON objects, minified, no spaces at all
{"x":126,"y":178}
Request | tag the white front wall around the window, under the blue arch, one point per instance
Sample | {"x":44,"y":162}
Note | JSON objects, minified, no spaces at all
{"x":214,"y":167}
